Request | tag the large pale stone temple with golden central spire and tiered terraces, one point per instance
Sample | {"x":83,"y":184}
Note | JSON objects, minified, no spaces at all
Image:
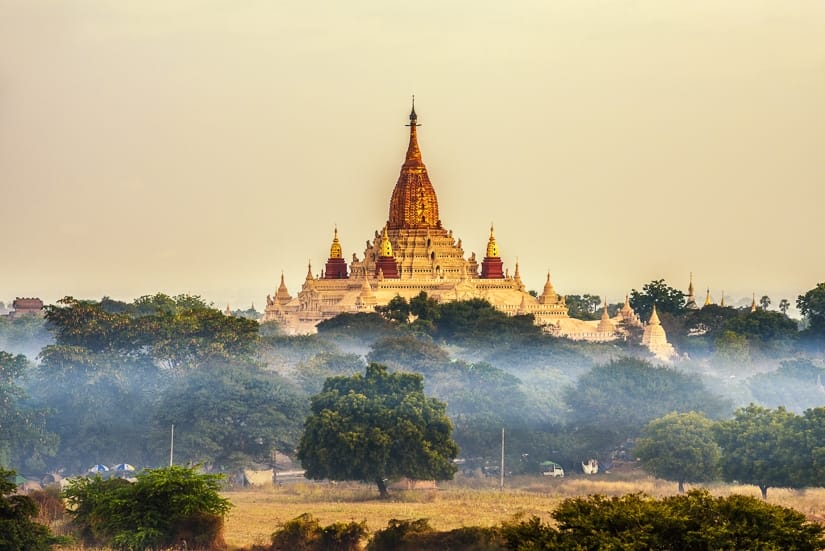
{"x":413,"y":252}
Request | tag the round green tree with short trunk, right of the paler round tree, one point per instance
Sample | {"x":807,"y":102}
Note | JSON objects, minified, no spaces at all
{"x":760,"y":447}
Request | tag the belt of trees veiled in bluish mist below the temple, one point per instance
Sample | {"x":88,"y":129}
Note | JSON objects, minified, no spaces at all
{"x":112,"y":377}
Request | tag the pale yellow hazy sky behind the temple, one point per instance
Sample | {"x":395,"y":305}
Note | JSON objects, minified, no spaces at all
{"x":203,"y":146}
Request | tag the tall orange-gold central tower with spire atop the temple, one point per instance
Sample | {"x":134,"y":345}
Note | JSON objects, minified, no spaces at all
{"x":413,"y":204}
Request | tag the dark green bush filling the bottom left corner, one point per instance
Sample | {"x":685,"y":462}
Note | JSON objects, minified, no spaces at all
{"x":17,"y":529}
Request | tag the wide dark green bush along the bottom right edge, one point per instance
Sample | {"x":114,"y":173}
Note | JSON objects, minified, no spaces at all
{"x":694,"y":521}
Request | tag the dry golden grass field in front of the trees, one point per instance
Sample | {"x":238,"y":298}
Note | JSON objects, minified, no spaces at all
{"x":463,"y":502}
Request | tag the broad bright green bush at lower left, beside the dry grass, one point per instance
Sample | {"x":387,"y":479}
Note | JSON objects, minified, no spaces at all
{"x":163,"y":507}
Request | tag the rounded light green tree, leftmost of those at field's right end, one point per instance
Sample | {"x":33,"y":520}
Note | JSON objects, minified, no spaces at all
{"x":680,"y":447}
